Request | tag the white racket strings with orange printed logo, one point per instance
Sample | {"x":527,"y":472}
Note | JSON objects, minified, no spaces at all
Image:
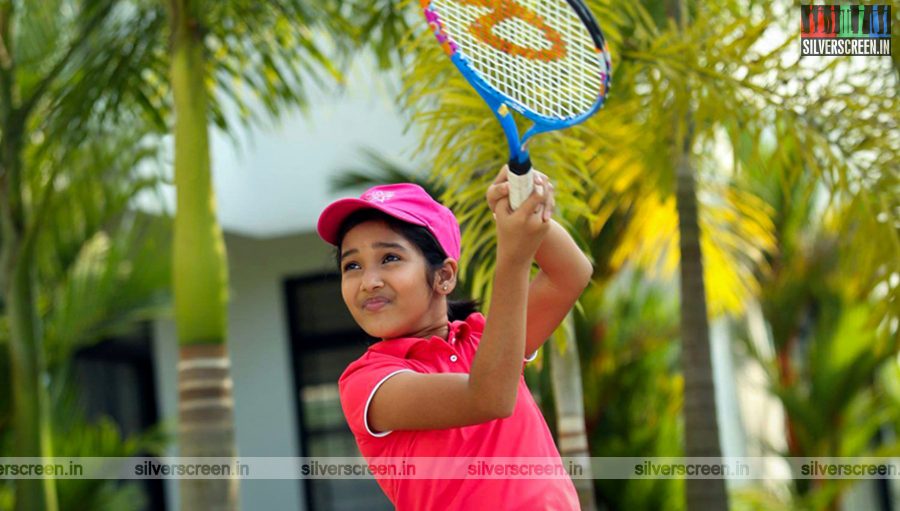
{"x":547,"y":63}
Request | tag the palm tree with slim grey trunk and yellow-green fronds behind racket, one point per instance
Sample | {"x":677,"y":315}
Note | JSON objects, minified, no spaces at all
{"x":676,"y":89}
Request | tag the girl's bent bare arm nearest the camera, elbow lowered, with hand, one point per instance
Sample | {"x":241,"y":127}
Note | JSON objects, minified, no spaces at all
{"x":414,"y":401}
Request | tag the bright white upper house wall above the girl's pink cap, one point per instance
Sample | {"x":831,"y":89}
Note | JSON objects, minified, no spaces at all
{"x":273,"y":179}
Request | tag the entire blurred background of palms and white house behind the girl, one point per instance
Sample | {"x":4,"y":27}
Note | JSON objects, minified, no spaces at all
{"x":741,"y":206}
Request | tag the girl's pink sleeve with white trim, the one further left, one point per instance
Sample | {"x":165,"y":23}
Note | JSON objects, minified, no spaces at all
{"x":357,"y":386}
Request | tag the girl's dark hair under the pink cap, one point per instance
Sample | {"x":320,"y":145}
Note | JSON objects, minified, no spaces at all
{"x":423,"y":240}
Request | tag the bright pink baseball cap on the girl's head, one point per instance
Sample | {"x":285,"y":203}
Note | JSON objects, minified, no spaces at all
{"x":405,"y":201}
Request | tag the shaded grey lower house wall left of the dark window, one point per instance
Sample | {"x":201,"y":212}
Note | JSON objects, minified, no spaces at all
{"x":265,"y":405}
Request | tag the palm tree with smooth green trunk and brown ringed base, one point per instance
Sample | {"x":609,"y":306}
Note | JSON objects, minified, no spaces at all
{"x":275,"y":63}
